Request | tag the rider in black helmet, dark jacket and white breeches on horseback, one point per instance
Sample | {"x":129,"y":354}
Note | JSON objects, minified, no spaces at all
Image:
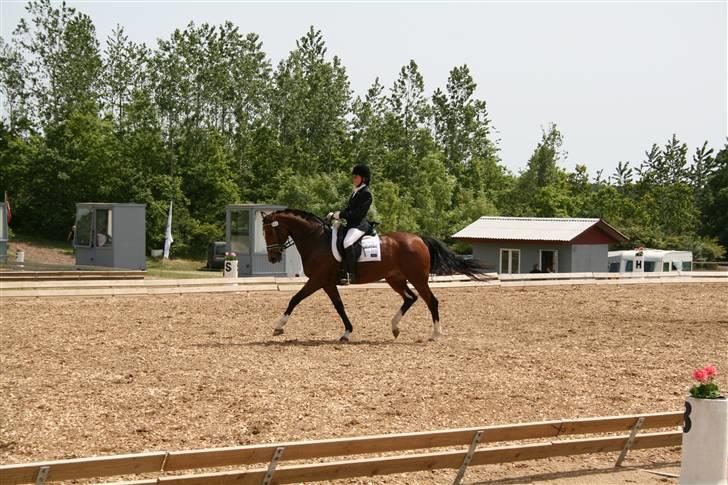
{"x":355,"y":215}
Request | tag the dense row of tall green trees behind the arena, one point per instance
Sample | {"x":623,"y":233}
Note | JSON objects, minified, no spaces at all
{"x":203,"y":119}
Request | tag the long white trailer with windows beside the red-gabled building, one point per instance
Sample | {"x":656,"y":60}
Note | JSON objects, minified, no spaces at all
{"x":650,"y":261}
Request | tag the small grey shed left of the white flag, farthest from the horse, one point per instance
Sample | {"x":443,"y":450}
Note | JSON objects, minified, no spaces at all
{"x":111,"y":235}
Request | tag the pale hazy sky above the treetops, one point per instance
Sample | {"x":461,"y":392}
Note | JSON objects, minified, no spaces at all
{"x":615,"y":77}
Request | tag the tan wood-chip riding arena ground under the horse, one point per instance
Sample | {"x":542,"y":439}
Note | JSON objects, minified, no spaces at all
{"x":88,"y":376}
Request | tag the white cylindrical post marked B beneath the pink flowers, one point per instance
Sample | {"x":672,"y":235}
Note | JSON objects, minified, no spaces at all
{"x":705,"y":442}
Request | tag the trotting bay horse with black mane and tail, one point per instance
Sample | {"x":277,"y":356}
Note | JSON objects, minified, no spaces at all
{"x":405,"y":257}
